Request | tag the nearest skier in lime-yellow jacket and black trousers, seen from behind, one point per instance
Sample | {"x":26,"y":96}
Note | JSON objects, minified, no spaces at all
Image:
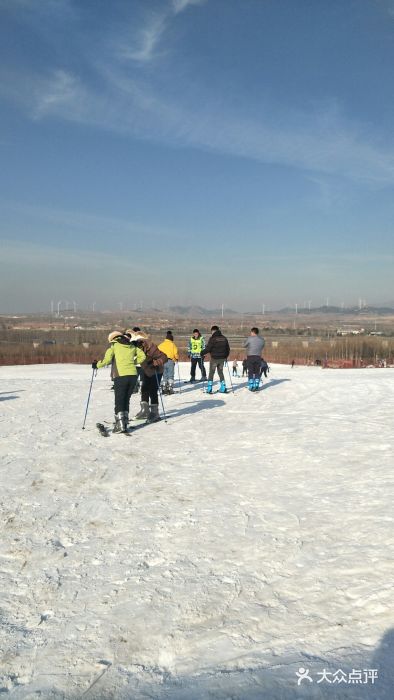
{"x":123,"y":357}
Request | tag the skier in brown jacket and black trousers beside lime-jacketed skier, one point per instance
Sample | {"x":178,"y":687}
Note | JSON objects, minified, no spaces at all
{"x":152,"y":366}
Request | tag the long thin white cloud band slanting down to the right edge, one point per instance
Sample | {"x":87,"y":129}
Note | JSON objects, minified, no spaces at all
{"x":320,"y":140}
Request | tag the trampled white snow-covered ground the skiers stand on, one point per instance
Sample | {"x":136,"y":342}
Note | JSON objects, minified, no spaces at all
{"x":212,"y":556}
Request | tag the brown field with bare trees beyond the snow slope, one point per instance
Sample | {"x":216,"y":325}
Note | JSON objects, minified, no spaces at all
{"x":305,"y":338}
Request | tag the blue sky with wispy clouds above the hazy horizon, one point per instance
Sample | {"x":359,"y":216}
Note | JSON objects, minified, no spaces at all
{"x":236,"y":152}
